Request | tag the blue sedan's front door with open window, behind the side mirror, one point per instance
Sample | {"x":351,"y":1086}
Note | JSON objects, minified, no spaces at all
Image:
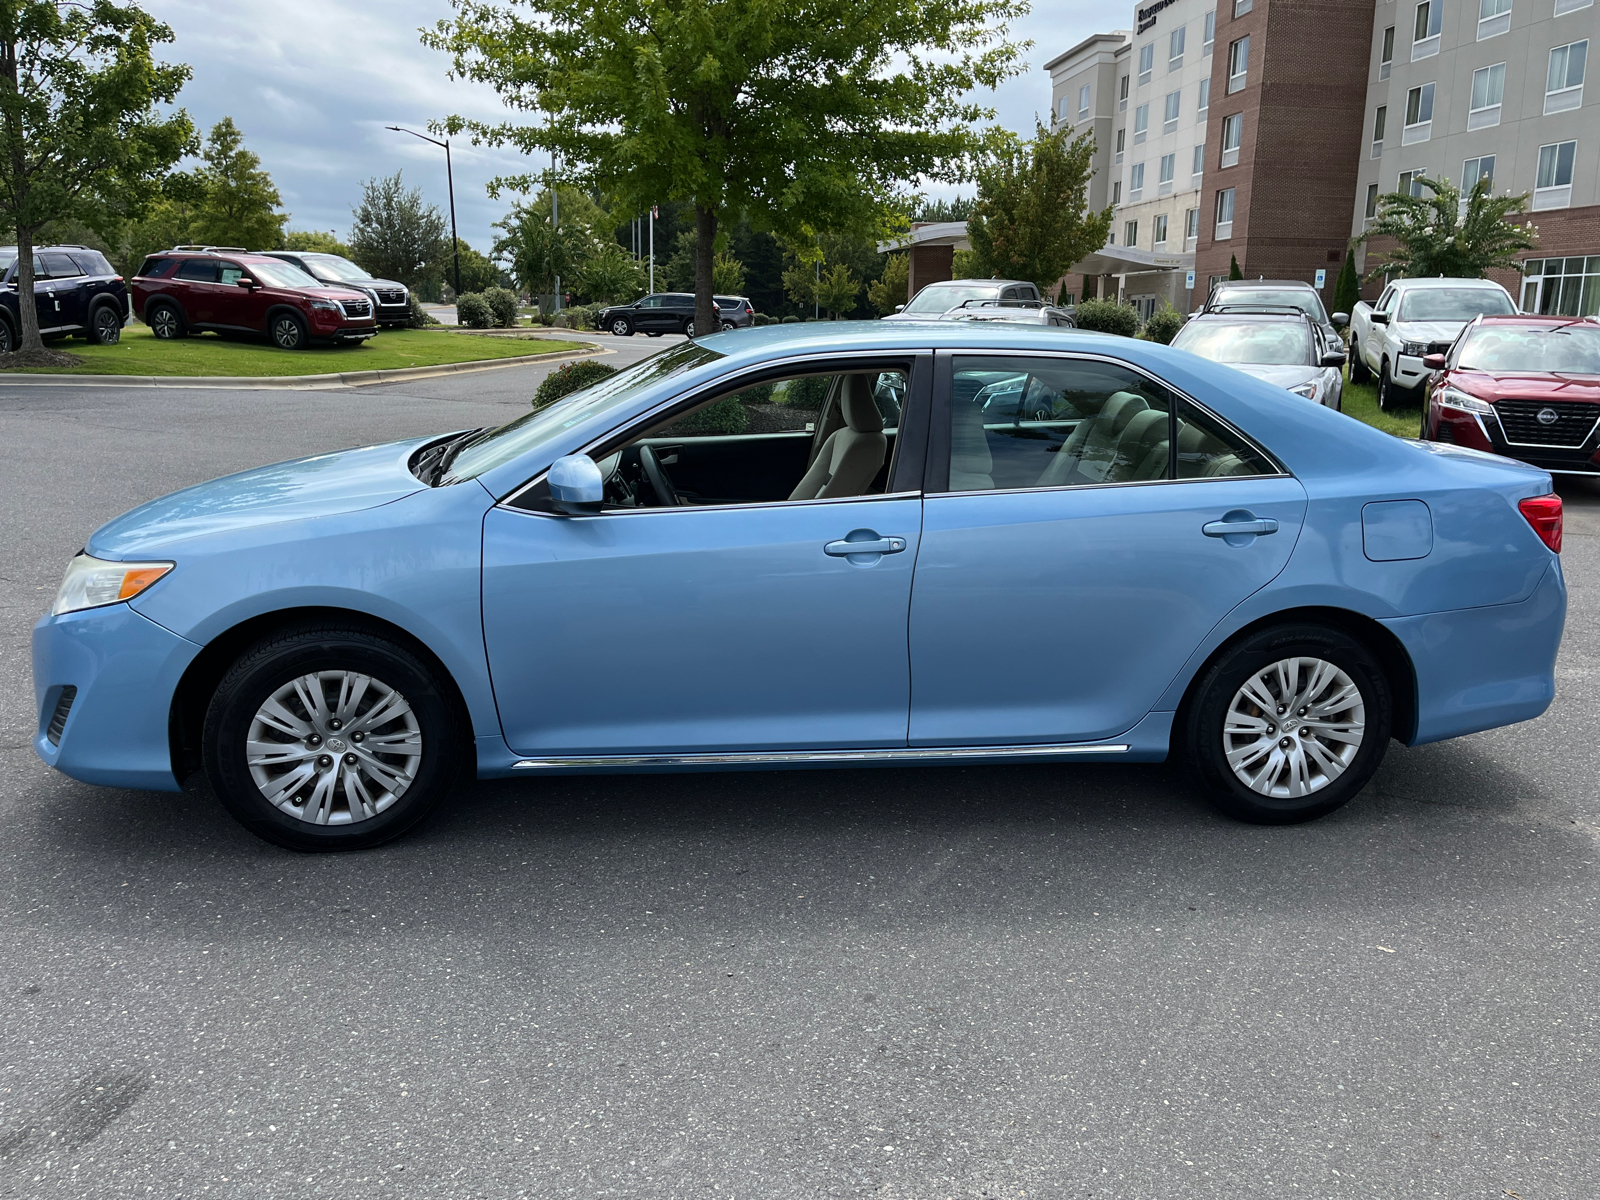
{"x":706,"y":610}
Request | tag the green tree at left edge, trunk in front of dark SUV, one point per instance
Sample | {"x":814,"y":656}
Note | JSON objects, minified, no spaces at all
{"x":81,"y":135}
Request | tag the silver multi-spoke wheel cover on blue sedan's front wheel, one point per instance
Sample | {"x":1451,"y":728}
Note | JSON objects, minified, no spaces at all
{"x":334,"y":748}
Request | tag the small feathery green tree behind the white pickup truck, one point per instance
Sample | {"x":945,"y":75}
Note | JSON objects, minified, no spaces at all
{"x":1439,"y":236}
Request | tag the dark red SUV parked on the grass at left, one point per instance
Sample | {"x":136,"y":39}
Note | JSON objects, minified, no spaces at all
{"x":194,"y":289}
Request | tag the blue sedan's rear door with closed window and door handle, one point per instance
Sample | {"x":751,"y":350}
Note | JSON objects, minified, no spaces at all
{"x":1073,"y":564}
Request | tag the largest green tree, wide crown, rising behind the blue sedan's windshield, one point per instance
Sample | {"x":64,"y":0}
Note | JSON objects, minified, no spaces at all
{"x":804,"y":114}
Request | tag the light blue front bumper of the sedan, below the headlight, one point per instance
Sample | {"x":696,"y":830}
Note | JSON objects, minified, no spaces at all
{"x":126,"y":670}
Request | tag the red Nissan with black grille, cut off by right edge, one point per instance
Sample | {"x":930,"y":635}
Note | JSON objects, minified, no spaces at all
{"x":1527,"y":388}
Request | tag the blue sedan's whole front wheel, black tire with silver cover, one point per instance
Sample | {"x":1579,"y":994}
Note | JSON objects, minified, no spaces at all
{"x":303,"y":798}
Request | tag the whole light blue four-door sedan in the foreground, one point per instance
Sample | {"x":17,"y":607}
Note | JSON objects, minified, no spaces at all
{"x":786,"y":548}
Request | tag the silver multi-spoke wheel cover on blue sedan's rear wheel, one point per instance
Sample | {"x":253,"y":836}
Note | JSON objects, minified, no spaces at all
{"x":1294,"y":729}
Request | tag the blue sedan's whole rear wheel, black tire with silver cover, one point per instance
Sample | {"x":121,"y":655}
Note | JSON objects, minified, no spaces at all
{"x":1233,"y":714}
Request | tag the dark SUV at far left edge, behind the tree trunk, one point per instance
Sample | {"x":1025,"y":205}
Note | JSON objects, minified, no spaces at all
{"x":76,"y":292}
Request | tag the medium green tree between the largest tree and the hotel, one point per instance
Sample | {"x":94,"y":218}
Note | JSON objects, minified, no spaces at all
{"x":1033,"y":218}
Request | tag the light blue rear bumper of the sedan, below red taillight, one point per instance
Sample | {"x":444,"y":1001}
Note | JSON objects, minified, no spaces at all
{"x":1484,"y":668}
